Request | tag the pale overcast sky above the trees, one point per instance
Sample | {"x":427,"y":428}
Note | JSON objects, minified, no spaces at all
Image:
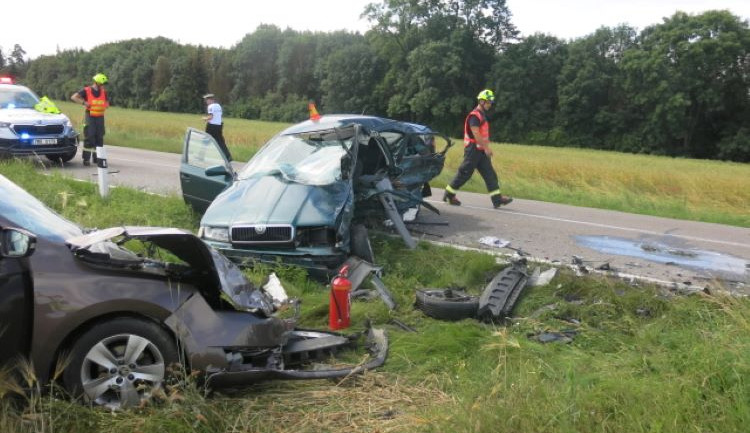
{"x":53,"y":24}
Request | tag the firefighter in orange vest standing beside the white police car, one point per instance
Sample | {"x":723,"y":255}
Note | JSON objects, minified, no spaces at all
{"x":95,"y":99}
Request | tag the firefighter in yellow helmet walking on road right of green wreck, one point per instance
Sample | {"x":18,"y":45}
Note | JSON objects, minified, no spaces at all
{"x":477,"y":154}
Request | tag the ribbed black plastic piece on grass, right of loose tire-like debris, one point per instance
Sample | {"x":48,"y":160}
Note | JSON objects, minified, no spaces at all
{"x":500,"y":295}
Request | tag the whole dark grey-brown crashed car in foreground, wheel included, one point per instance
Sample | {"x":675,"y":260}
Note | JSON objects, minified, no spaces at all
{"x":115,"y":308}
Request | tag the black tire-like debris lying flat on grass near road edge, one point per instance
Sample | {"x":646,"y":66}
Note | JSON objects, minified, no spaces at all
{"x":447,"y":304}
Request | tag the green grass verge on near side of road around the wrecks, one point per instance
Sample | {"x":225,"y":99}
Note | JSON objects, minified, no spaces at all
{"x":640,"y":360}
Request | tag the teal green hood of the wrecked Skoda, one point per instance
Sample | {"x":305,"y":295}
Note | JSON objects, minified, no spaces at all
{"x":271,"y":200}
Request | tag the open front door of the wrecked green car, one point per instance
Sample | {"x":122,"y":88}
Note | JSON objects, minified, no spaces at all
{"x":204,"y":171}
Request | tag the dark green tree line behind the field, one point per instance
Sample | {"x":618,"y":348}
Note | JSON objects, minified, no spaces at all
{"x":677,"y":88}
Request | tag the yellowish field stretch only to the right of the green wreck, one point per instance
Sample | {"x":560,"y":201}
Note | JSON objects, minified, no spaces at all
{"x":701,"y":190}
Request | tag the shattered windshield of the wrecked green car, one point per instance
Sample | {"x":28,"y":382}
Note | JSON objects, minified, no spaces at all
{"x":311,"y":158}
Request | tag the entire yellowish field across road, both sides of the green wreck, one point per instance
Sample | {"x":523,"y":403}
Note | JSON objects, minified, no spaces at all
{"x":709,"y":191}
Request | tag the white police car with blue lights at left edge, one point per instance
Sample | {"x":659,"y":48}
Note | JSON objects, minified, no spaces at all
{"x":30,"y":126}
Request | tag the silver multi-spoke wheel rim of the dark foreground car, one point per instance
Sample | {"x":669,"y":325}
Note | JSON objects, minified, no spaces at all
{"x":121,"y":370}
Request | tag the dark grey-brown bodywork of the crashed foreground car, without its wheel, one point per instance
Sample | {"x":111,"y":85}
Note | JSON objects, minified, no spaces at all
{"x":75,"y":283}
